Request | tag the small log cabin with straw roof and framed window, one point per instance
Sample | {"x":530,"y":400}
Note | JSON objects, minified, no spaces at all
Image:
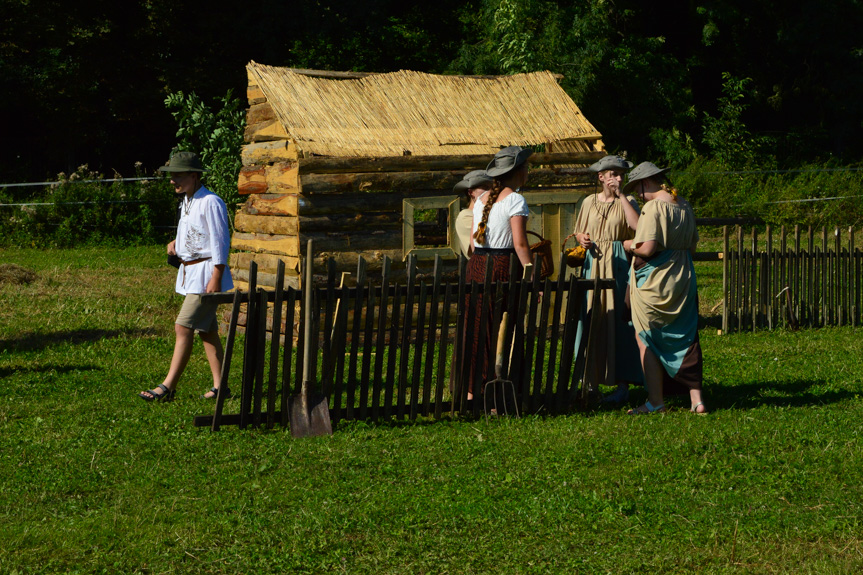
{"x":365,"y":163}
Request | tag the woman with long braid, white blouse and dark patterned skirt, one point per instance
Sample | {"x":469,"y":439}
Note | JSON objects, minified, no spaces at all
{"x":500,"y":230}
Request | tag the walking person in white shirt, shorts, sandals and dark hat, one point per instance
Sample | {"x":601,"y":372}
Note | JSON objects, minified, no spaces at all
{"x":202,"y":244}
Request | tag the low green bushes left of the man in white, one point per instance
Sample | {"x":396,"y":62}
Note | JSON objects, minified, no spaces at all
{"x":80,"y":211}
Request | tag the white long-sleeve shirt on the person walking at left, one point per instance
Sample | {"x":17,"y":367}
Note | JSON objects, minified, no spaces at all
{"x":202,"y":232}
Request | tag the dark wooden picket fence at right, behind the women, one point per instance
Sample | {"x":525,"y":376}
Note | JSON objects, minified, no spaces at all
{"x":797,"y":280}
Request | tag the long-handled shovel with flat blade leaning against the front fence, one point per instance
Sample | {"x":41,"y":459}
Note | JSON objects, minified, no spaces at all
{"x":309,"y":411}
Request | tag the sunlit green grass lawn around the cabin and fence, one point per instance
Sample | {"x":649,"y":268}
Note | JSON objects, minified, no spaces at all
{"x":94,"y":480}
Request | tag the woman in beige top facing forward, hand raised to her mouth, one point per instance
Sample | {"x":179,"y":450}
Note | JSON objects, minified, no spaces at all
{"x":605,"y":227}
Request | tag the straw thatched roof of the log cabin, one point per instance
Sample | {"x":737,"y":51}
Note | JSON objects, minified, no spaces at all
{"x":421,"y":114}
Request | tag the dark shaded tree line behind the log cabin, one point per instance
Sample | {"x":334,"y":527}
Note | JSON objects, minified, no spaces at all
{"x":743,"y":82}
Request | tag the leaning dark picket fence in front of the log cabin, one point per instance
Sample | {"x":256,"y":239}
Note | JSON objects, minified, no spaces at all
{"x":385,"y":350}
